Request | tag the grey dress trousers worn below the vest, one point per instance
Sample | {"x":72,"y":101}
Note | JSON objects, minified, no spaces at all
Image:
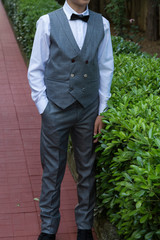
{"x":57,"y":124}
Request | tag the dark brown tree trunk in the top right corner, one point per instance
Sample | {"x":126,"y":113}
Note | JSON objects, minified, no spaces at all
{"x":152,"y":20}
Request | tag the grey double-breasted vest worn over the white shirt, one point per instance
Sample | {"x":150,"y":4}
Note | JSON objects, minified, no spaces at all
{"x":72,"y":74}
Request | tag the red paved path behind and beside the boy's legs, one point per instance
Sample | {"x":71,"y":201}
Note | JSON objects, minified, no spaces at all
{"x":20,"y":170}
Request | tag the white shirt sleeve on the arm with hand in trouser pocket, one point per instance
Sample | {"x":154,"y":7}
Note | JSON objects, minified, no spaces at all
{"x":39,"y":57}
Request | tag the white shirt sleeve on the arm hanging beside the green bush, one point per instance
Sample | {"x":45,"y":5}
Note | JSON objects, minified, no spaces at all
{"x":106,"y":66}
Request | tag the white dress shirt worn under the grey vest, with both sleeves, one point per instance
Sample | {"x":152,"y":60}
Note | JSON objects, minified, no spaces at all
{"x":40,"y":55}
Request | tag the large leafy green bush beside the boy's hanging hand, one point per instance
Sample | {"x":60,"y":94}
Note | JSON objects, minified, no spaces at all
{"x":128,"y":156}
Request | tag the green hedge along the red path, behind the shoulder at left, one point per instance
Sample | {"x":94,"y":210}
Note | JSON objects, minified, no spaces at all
{"x":24,"y":14}
